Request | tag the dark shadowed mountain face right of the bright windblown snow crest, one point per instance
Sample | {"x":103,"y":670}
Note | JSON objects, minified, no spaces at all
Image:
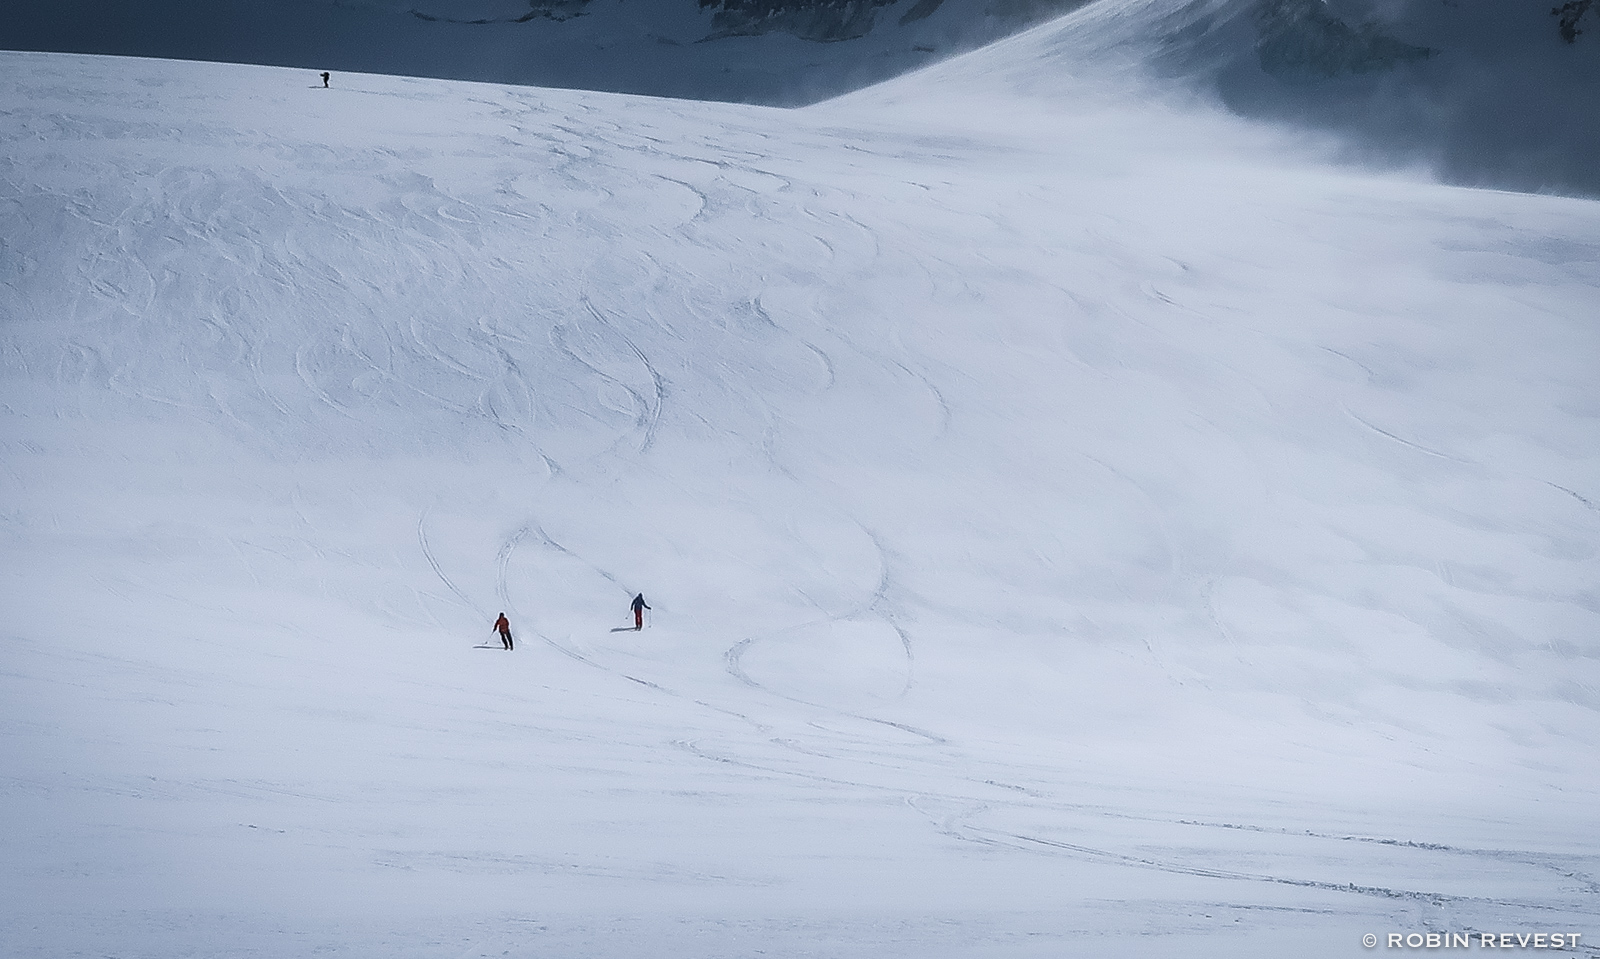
{"x":1487,"y":94}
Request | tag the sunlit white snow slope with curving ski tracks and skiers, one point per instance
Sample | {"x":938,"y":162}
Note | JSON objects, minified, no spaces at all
{"x":1073,"y":528}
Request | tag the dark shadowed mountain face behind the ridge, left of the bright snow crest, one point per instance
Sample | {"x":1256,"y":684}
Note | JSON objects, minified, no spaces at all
{"x":769,"y":52}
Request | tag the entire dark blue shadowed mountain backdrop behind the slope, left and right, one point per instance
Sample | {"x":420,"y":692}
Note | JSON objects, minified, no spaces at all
{"x":1484,"y":92}
